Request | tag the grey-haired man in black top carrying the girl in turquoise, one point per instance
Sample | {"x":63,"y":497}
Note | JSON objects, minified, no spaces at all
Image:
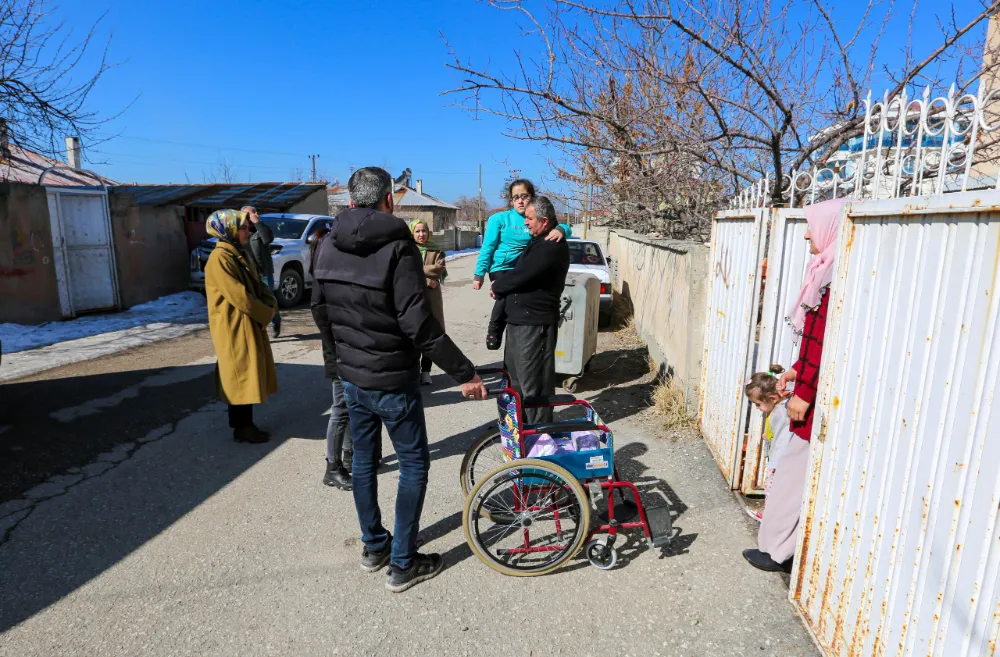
{"x":533,"y":291}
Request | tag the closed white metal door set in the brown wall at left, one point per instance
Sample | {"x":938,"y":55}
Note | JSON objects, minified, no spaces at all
{"x":84,"y":249}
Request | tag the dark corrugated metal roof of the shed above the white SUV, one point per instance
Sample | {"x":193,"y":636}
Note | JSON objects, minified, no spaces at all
{"x":271,"y":195}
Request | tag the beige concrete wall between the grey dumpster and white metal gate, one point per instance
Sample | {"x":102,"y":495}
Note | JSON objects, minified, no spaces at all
{"x":667,"y":283}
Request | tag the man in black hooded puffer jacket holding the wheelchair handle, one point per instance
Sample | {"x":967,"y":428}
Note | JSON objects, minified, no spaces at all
{"x":373,"y":282}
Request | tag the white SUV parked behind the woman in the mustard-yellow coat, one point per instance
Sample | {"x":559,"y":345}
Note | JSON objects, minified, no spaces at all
{"x":289,"y":252}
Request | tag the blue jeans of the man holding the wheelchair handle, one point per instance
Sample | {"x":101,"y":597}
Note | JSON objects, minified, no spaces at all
{"x":402,"y":413}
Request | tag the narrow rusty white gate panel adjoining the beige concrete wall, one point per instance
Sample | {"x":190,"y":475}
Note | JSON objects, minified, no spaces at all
{"x":733,"y":304}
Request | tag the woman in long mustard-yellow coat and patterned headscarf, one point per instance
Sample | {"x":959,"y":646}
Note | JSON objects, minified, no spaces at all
{"x":240,"y":305}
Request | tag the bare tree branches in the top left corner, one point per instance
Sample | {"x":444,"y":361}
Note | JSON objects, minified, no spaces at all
{"x":46,"y":78}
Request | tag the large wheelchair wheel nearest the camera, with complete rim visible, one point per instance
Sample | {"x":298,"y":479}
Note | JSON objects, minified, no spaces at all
{"x":526,"y":518}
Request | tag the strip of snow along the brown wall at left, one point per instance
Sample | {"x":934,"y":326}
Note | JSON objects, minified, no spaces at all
{"x":181,"y":308}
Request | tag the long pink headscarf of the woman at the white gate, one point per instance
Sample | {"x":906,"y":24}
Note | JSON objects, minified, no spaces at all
{"x":824,"y":226}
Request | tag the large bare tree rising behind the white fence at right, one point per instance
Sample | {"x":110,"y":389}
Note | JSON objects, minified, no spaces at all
{"x":670,"y":106}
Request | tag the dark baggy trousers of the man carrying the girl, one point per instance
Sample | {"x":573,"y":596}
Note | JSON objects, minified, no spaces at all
{"x":531,"y":361}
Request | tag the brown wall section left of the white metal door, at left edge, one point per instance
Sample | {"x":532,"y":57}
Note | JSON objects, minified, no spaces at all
{"x":28,"y":290}
